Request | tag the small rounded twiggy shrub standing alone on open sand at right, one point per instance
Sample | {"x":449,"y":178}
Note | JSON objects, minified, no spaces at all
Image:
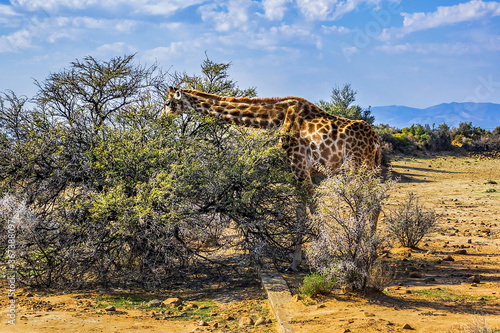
{"x":411,"y":222}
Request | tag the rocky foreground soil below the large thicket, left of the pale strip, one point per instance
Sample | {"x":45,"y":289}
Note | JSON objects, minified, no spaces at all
{"x":120,"y":311}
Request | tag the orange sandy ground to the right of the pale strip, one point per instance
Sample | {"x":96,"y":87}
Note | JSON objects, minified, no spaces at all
{"x":430,"y":295}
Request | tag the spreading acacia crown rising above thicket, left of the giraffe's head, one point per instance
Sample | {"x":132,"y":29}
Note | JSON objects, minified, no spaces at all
{"x":93,"y":92}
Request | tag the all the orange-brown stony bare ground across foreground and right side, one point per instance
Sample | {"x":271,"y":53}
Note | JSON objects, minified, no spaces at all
{"x":429,"y":295}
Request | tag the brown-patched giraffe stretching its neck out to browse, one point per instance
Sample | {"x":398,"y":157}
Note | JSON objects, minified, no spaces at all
{"x":309,"y":136}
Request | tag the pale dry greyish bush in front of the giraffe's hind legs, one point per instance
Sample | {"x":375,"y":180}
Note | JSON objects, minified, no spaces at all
{"x":347,"y":246}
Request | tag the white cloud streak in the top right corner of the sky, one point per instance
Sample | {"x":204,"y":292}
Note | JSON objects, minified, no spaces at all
{"x":446,"y":15}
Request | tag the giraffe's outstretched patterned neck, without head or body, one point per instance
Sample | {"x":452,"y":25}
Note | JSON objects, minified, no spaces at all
{"x":259,"y":113}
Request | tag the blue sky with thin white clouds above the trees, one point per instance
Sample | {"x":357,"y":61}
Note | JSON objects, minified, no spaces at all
{"x":416,"y":53}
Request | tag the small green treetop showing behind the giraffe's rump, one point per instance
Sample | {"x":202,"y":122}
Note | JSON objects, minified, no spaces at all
{"x":340,"y":105}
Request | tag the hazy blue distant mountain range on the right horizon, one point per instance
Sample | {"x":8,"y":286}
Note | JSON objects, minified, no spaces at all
{"x":484,"y":115}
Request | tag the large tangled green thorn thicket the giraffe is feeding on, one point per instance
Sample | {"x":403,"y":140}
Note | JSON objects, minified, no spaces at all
{"x":102,"y":190}
